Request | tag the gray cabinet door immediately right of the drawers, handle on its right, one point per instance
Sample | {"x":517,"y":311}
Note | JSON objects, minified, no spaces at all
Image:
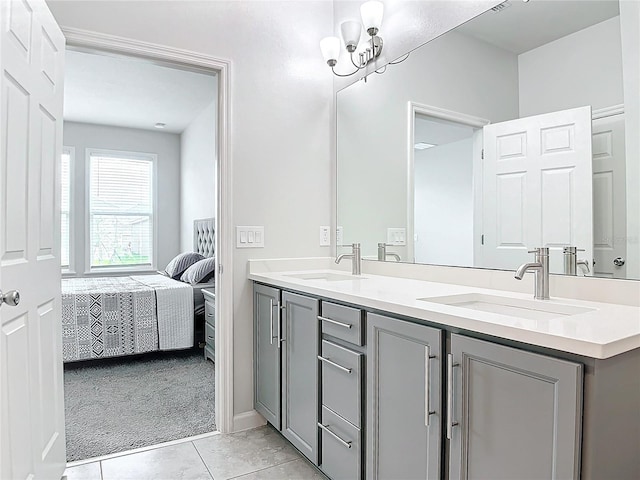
{"x":403,"y":399}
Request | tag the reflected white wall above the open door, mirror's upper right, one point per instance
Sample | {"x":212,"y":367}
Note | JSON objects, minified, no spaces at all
{"x":584,"y":68}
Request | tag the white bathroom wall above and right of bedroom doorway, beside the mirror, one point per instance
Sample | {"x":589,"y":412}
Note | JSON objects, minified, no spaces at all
{"x":281,"y":116}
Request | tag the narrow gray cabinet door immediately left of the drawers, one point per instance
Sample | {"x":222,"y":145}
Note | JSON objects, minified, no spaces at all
{"x":300,"y":373}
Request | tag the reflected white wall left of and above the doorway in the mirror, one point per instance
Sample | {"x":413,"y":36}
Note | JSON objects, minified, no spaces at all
{"x":373,"y":122}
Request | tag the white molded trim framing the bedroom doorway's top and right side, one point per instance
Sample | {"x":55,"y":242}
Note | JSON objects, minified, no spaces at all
{"x":88,"y":40}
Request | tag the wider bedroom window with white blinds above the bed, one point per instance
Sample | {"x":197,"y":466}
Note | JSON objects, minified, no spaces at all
{"x":121,"y":209}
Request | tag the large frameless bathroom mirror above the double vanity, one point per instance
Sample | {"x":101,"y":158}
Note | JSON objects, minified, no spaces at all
{"x":502,"y":135}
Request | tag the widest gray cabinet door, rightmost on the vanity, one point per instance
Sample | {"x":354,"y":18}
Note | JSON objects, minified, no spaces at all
{"x":518,"y":413}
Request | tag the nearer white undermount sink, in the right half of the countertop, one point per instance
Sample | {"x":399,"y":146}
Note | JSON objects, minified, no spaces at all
{"x":513,"y":307}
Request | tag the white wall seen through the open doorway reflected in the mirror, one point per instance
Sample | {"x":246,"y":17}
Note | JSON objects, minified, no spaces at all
{"x":443,"y":177}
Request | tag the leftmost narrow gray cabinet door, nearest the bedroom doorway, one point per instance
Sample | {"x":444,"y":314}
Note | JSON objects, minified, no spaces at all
{"x":266,"y":355}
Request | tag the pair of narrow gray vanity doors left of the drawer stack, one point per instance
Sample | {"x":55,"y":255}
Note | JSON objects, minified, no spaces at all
{"x":286,"y":365}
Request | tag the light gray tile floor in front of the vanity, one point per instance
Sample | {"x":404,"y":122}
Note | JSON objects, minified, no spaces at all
{"x":261,"y":453}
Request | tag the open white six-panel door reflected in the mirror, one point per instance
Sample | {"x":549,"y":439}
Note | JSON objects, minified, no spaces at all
{"x":537,"y":188}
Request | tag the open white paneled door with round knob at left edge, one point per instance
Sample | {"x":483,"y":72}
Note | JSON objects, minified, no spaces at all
{"x":32,"y":440}
